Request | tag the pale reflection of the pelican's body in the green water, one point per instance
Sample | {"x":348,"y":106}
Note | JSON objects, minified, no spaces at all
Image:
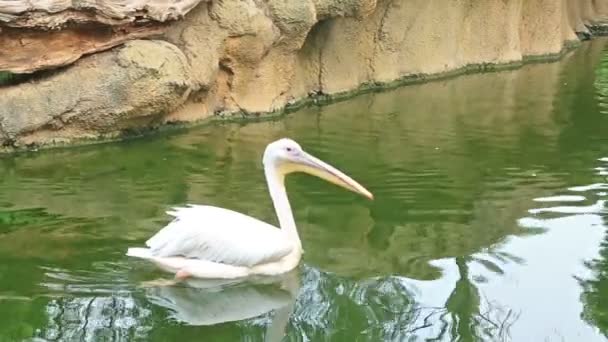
{"x":205,"y":302}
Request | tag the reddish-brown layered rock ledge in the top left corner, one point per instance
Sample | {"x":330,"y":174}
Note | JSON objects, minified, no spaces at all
{"x":76,"y":28}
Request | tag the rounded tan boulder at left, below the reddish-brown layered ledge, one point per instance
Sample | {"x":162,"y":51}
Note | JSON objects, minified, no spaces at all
{"x":129,"y":87}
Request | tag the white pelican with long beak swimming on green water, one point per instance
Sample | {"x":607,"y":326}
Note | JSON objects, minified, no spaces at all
{"x":216,"y":243}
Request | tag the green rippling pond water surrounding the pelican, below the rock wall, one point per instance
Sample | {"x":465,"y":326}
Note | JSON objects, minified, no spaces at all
{"x":488,"y":224}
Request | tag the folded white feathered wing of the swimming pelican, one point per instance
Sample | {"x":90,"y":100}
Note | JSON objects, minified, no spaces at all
{"x":219,"y":235}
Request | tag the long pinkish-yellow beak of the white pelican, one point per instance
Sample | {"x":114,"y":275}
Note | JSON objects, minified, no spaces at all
{"x":316,"y":167}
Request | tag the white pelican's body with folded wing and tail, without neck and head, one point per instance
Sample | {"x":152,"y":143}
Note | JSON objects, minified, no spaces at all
{"x":212,"y":242}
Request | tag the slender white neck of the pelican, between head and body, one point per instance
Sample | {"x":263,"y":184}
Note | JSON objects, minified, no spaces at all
{"x":276,"y":187}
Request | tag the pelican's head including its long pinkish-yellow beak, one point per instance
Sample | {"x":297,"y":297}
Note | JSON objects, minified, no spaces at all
{"x":286,"y":156}
